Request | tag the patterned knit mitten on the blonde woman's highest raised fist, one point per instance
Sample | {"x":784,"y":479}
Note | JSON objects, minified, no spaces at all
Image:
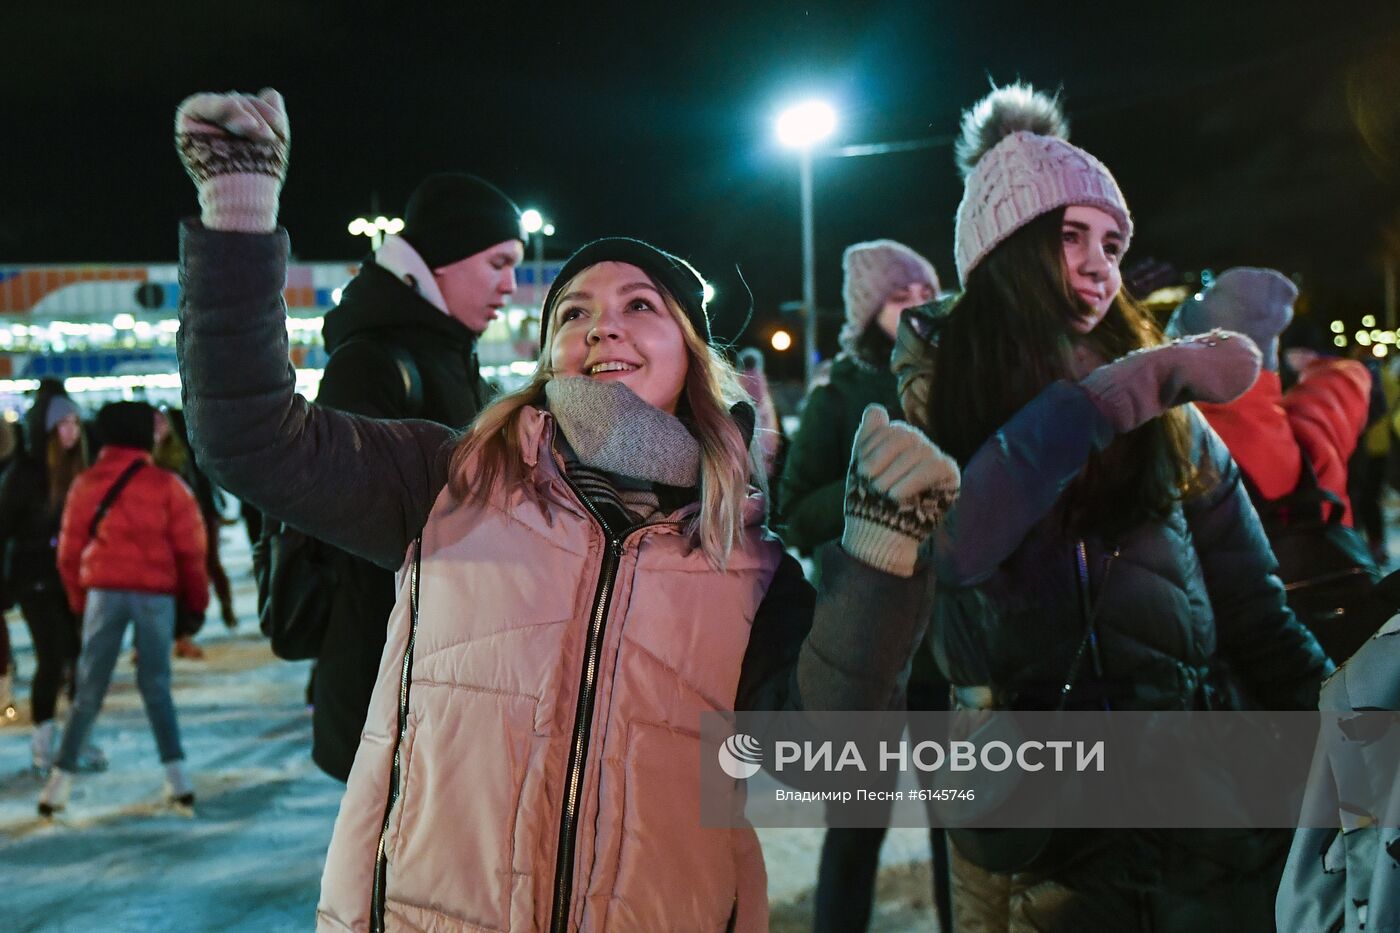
{"x":236,"y":146}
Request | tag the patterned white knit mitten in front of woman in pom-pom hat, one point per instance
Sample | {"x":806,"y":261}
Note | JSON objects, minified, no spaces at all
{"x":898,"y":491}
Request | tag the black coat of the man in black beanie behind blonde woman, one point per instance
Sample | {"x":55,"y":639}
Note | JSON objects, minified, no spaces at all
{"x":377,"y":310}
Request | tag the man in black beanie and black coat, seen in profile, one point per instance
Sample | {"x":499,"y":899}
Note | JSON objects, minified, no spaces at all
{"x":402,"y":344}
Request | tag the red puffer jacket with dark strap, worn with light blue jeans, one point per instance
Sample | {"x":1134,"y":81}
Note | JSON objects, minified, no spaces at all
{"x":150,"y":541}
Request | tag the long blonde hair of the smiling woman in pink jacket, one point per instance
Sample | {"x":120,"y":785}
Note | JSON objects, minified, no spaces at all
{"x":489,"y":456}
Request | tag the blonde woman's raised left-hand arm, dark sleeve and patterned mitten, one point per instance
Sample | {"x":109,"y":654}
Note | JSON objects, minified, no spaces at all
{"x":359,"y":484}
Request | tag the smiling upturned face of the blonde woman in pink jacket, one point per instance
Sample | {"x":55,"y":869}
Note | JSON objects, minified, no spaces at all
{"x":612,"y":323}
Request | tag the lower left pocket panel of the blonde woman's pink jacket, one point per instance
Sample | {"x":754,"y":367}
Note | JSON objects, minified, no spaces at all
{"x":454,"y":829}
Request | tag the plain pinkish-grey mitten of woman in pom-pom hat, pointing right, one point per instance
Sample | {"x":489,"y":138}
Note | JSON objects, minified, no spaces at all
{"x":1210,"y":368}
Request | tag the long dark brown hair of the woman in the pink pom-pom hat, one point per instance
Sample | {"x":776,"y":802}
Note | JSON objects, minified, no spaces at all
{"x":1009,"y":337}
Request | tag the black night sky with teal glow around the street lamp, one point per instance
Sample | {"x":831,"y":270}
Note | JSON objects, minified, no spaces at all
{"x":1262,"y":134}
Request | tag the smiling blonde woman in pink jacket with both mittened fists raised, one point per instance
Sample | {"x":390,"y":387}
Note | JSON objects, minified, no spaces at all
{"x":586,"y":572}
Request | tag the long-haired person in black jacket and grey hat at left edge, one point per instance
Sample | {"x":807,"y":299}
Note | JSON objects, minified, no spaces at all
{"x":31,"y":504}
